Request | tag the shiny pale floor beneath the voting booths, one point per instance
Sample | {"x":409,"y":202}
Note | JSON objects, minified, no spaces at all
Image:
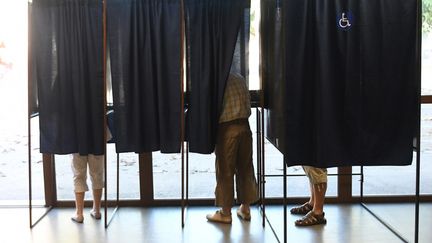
{"x":346,"y":223}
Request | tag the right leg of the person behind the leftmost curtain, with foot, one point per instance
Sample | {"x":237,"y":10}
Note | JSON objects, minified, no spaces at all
{"x":96,"y":166}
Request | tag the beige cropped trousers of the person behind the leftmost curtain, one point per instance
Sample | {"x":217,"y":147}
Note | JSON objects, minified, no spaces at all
{"x":79,"y":169}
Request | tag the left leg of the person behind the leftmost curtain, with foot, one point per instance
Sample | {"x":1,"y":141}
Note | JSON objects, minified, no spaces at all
{"x":79,"y":169}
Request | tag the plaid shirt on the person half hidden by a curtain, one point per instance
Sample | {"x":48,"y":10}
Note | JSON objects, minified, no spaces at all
{"x":236,"y":102}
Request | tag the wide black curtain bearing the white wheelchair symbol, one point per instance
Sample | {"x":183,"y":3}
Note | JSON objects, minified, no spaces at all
{"x":350,"y":90}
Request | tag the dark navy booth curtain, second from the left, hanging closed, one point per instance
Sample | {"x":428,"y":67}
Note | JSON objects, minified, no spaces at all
{"x":144,"y":43}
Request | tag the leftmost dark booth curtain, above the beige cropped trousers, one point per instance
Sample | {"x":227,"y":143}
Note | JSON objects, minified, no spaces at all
{"x":67,"y":55}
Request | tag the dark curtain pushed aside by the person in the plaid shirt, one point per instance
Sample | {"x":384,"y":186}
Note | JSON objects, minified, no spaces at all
{"x":213,"y":28}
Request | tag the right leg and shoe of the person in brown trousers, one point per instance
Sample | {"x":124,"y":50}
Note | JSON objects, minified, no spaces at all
{"x":247,"y":188}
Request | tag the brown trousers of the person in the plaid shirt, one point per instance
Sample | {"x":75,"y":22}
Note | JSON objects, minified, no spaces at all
{"x":234,"y":157}
